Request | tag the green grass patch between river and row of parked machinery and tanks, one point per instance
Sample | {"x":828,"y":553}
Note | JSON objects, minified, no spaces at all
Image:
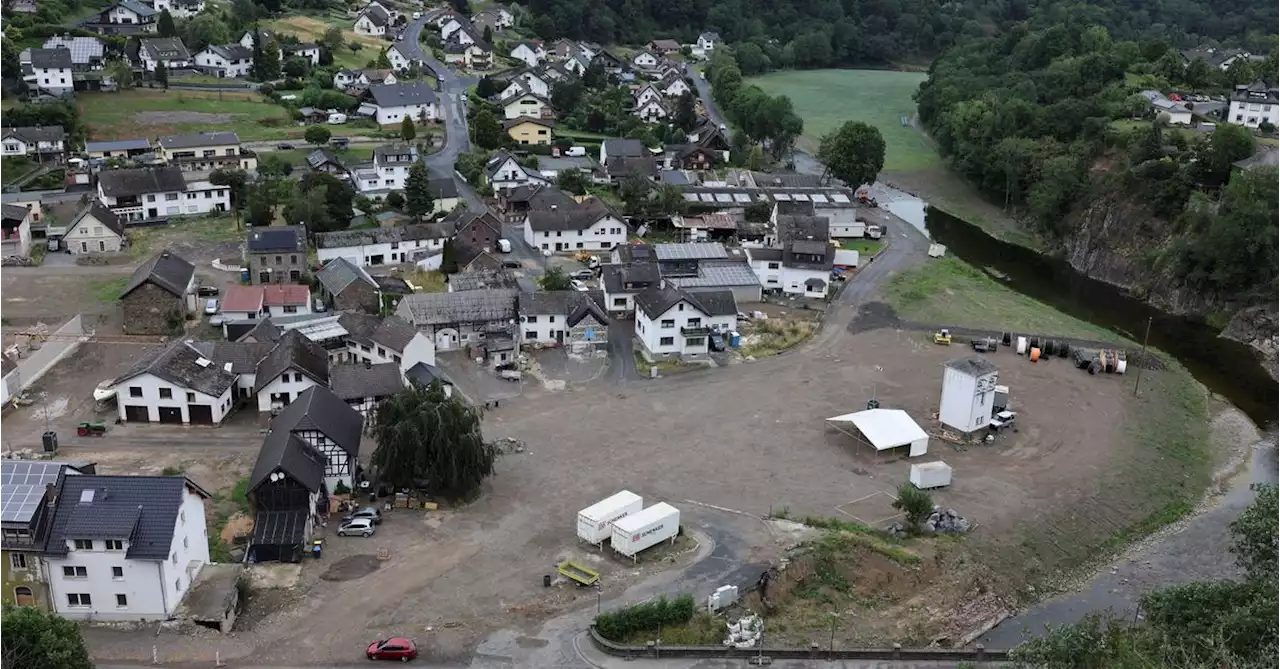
{"x":949,"y":292}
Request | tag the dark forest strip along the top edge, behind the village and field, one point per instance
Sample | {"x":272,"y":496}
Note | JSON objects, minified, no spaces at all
{"x":828,"y":33}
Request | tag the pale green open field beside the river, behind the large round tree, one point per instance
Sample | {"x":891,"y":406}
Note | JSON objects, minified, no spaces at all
{"x":828,"y":98}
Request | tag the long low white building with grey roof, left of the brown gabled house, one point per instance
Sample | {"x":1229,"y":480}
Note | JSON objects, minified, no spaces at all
{"x":383,"y":246}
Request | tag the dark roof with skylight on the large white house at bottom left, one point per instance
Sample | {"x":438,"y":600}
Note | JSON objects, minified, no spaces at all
{"x":143,"y":510}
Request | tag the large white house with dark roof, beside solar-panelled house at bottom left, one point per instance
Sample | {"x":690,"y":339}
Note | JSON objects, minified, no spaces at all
{"x":126,"y":548}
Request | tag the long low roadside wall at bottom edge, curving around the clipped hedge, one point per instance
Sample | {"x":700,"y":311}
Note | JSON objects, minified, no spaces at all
{"x":977,"y":654}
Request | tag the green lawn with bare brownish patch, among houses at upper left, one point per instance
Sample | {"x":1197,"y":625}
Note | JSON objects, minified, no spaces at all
{"x":150,"y":113}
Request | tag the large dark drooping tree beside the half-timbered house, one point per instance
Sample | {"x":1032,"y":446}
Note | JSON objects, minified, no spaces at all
{"x":428,"y":439}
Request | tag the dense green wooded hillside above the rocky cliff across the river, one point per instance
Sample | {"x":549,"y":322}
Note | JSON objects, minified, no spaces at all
{"x":1040,"y":121}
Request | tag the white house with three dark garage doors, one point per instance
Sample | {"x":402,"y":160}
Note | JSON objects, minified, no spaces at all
{"x":176,"y":384}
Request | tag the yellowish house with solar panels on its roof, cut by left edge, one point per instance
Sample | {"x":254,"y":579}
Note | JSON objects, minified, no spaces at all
{"x":28,"y":494}
